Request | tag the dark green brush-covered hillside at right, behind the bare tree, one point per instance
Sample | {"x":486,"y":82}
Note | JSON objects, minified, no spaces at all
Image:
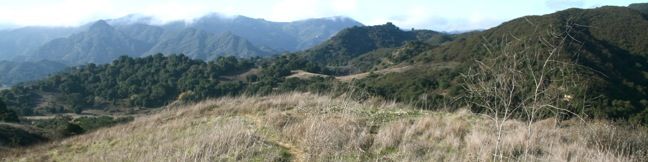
{"x":608,"y":44}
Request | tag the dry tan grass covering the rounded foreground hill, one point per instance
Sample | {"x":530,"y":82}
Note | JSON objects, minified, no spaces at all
{"x":306,"y":127}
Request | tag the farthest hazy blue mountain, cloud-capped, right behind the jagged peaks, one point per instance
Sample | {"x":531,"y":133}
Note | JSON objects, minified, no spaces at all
{"x":281,"y":36}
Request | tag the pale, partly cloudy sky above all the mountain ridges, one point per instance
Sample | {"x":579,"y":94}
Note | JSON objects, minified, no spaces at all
{"x":441,"y":15}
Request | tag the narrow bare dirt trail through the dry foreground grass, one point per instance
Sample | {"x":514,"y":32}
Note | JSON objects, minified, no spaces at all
{"x":297,"y":154}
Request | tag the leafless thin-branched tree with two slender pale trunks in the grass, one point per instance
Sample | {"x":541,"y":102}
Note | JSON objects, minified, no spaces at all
{"x":524,"y":78}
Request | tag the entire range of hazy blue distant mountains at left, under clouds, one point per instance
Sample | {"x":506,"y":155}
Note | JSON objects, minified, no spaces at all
{"x":204,"y":38}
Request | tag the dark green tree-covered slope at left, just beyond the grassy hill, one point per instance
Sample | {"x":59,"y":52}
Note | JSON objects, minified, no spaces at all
{"x":150,"y":81}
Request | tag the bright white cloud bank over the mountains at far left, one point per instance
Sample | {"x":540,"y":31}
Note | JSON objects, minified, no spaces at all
{"x":76,"y":12}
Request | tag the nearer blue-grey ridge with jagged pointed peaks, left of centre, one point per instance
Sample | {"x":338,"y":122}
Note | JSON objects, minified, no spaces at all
{"x":103,"y":43}
